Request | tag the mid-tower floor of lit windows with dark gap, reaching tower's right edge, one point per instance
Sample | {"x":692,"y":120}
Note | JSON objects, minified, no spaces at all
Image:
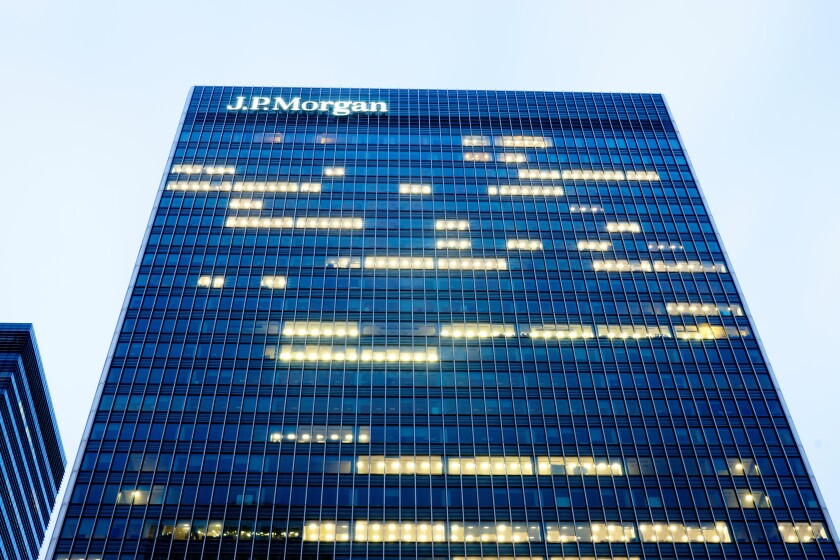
{"x":339,"y":329}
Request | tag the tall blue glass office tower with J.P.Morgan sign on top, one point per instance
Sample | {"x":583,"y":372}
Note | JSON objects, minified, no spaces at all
{"x":435,"y":324}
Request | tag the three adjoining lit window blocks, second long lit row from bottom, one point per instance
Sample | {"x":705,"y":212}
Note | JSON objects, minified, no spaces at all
{"x":478,"y":466}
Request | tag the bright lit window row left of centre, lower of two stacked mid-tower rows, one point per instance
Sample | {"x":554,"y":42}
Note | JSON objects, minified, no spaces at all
{"x":348,"y":354}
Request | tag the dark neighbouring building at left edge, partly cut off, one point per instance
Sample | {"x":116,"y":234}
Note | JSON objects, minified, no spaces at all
{"x":31,"y":455}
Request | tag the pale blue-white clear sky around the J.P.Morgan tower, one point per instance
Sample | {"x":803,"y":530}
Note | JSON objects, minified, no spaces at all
{"x":92,"y":92}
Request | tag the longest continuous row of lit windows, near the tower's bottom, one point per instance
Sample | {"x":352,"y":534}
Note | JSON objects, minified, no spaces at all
{"x":406,"y":531}
